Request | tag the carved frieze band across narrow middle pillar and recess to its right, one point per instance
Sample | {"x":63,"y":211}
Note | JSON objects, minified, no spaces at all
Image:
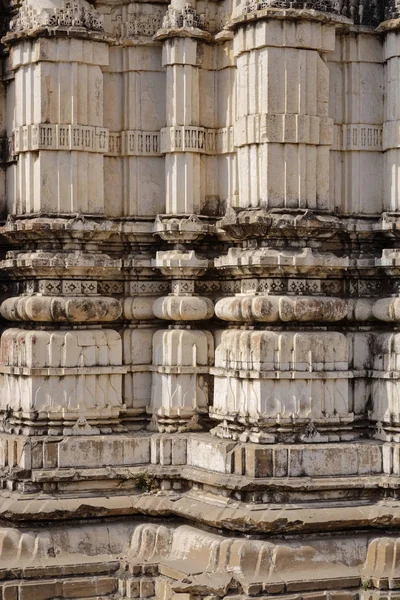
{"x":185,"y":138}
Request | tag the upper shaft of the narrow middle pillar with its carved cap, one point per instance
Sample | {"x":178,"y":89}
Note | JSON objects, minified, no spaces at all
{"x":186,"y":139}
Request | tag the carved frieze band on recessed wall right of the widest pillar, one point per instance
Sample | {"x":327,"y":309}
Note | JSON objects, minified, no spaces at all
{"x":359,"y":137}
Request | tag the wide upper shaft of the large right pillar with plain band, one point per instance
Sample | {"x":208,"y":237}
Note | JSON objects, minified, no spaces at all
{"x":283,"y":131}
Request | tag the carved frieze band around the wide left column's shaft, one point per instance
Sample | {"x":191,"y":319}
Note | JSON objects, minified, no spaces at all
{"x":85,"y":138}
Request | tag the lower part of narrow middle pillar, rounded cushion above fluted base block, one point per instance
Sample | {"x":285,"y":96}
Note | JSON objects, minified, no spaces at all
{"x":182,"y":355}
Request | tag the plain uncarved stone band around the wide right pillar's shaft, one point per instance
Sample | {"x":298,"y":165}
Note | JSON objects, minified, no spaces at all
{"x":283,"y":129}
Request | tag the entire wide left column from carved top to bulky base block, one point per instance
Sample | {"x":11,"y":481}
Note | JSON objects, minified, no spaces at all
{"x":61,"y":363}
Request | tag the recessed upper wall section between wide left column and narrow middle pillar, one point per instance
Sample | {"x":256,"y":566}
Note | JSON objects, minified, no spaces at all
{"x":134,"y":112}
